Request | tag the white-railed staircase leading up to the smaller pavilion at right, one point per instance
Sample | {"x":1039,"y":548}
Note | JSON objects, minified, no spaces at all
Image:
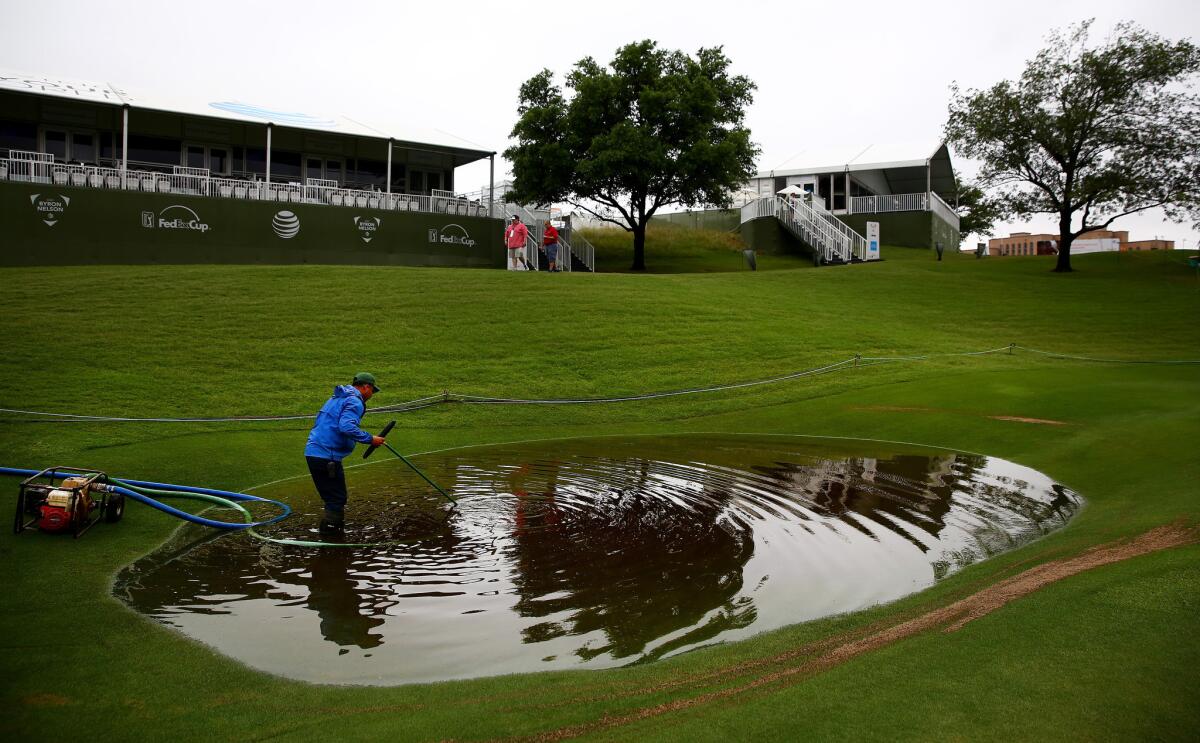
{"x":829,"y":238}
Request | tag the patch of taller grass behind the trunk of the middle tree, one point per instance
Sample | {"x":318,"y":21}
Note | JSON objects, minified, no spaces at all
{"x":675,"y":249}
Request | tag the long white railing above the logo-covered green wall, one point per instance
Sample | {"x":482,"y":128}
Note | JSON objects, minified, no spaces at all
{"x":40,"y":167}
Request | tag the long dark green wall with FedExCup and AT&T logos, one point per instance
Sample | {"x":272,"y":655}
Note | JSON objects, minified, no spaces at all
{"x":99,"y":226}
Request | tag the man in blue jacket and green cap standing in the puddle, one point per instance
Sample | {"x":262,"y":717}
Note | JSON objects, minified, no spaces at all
{"x":332,"y":440}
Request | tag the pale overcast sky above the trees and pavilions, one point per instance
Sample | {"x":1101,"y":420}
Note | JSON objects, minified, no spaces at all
{"x":831,"y":76}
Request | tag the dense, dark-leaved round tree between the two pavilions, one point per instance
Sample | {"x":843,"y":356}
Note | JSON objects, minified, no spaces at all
{"x":653,"y":129}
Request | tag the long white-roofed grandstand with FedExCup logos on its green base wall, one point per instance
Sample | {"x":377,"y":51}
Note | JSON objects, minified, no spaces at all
{"x":93,"y":173}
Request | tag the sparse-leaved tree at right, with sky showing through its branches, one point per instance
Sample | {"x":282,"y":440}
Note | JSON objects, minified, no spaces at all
{"x":1089,"y":135}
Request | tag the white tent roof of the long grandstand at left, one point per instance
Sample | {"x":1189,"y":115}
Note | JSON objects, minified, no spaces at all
{"x":230,"y":109}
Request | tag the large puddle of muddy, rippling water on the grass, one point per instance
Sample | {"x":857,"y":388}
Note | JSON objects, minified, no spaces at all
{"x":589,"y":554}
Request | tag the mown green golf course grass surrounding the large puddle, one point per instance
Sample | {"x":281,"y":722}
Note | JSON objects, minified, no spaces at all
{"x":1112,"y":654}
